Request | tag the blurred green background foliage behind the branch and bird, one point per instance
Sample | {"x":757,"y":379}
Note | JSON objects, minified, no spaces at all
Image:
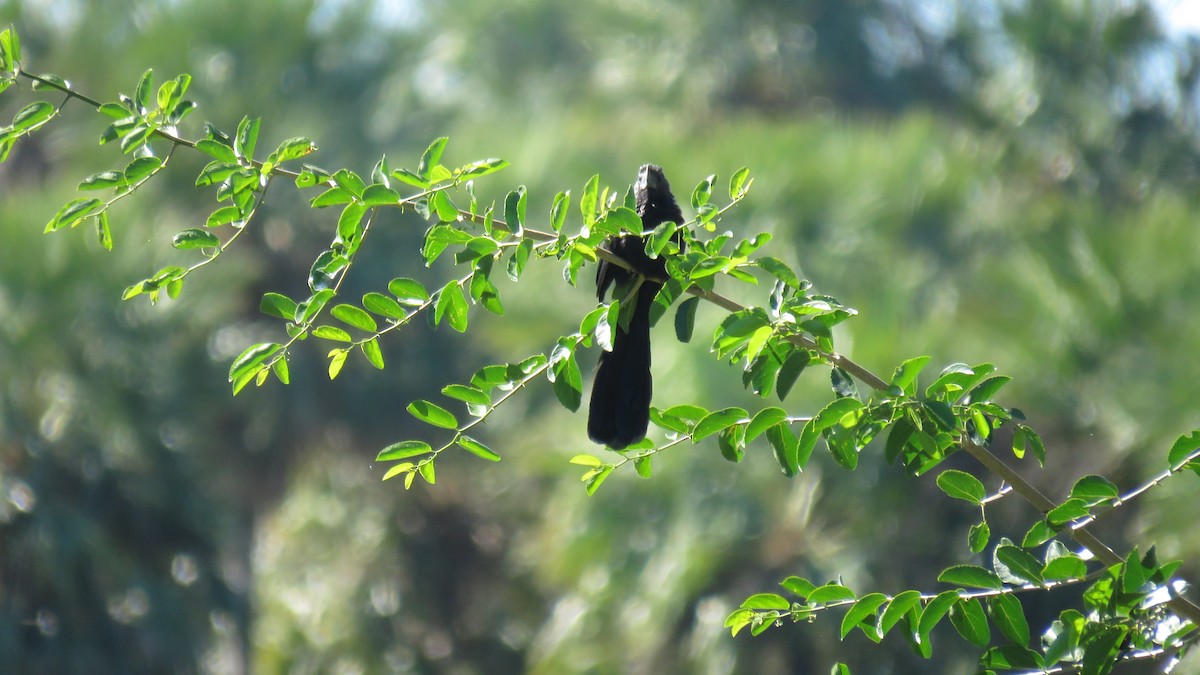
{"x":985,"y":181}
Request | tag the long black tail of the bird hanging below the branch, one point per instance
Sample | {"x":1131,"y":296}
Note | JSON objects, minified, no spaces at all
{"x":620,"y":413}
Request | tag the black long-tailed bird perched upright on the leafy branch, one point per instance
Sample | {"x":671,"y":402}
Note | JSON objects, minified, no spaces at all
{"x":620,"y":413}
